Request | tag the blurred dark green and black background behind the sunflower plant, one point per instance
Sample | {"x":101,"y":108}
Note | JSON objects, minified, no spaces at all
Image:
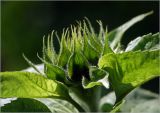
{"x":23,"y":24}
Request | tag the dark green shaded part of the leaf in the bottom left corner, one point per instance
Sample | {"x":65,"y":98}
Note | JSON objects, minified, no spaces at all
{"x":25,"y":105}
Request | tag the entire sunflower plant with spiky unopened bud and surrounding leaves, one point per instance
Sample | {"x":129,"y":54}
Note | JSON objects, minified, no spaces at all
{"x":90,"y":72}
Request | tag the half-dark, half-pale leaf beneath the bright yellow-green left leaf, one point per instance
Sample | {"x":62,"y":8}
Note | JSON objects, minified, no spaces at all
{"x":37,"y":105}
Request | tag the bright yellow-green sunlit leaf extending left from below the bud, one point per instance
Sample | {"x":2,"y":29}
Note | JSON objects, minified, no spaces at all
{"x":30,"y":85}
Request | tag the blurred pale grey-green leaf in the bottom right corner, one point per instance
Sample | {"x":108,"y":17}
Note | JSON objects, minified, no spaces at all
{"x":136,"y":98}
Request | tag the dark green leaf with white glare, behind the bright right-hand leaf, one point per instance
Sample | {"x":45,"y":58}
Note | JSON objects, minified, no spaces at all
{"x":145,"y":42}
